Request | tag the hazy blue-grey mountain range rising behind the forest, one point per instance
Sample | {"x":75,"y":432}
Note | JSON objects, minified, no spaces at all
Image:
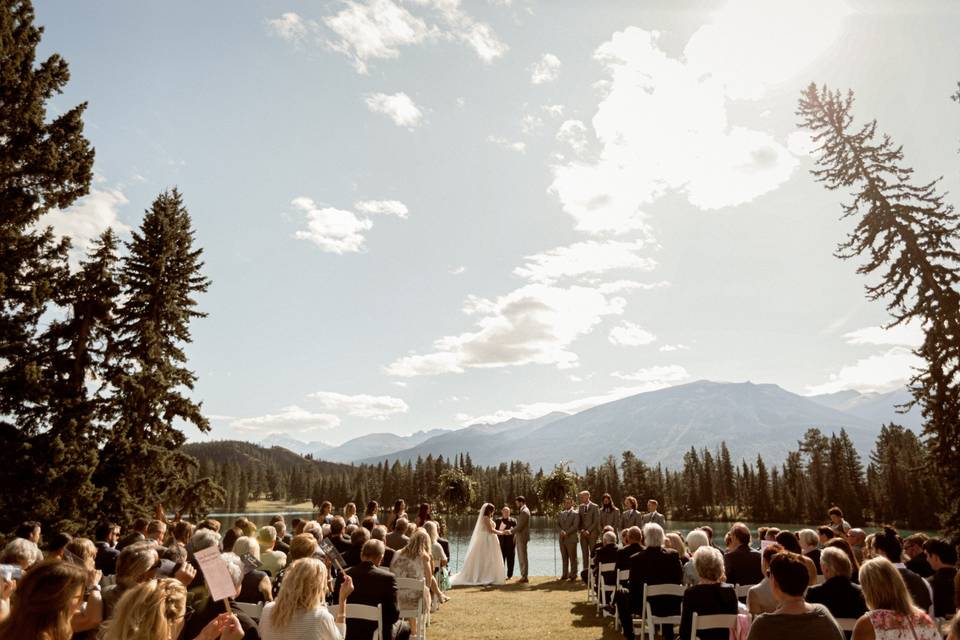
{"x":658,"y":426}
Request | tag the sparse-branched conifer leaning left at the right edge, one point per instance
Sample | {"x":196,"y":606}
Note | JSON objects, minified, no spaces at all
{"x":907,"y":233}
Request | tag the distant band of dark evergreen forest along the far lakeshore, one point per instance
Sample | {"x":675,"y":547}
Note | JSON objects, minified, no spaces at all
{"x":893,"y":486}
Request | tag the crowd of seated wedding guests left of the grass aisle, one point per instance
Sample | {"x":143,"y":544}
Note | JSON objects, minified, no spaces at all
{"x":289,"y":585}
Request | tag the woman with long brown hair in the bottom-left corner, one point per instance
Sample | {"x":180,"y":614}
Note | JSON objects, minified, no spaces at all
{"x":45,"y":600}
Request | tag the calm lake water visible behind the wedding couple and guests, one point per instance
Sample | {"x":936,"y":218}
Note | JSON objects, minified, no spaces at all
{"x":543,"y":550}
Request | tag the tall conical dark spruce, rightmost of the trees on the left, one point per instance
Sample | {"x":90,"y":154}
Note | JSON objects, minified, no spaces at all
{"x":160,"y":278}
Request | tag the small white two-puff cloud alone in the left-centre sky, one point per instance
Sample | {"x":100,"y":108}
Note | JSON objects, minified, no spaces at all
{"x":340,"y":231}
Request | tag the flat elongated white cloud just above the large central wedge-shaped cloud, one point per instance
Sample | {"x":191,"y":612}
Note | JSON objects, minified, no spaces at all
{"x":584,"y":258}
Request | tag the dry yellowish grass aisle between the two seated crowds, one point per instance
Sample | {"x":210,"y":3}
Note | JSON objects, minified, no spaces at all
{"x":544,"y":608}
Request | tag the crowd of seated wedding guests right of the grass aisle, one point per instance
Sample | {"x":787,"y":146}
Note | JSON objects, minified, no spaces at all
{"x":831,"y":583}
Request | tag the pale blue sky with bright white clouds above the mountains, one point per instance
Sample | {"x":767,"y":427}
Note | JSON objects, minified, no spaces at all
{"x":430,"y":213}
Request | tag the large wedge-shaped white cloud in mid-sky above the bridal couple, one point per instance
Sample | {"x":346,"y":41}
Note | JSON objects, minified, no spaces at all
{"x":536,"y":323}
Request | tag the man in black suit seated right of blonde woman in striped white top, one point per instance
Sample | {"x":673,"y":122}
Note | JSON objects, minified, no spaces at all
{"x":373,"y":585}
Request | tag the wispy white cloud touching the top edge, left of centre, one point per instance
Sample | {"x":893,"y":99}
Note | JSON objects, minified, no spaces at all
{"x":367,"y":30}
